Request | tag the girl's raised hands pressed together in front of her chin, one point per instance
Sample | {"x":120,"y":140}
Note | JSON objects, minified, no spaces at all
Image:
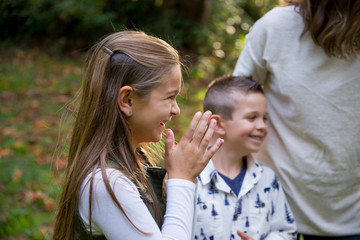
{"x":189,"y":157}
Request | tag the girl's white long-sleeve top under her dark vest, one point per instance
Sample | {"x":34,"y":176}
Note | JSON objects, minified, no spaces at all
{"x":107,"y":219}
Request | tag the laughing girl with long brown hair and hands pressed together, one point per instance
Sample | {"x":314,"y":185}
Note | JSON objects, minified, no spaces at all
{"x":112,"y":190}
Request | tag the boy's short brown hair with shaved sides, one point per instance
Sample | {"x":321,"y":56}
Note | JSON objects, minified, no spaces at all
{"x":219,"y":94}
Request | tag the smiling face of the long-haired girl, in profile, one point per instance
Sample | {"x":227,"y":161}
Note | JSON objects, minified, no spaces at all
{"x":151,"y":114}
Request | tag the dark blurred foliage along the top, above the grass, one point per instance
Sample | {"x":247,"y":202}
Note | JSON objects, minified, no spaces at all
{"x":192,"y":26}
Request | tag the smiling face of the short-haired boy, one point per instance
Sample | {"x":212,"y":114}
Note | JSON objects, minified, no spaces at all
{"x":247,"y":129}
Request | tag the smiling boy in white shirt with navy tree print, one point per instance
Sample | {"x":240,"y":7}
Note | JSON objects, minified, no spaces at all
{"x":234,"y":192}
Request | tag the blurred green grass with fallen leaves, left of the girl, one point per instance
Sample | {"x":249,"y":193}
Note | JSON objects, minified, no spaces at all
{"x":33,"y":89}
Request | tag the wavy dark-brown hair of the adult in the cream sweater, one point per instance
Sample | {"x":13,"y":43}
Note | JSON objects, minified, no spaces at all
{"x":334,"y":25}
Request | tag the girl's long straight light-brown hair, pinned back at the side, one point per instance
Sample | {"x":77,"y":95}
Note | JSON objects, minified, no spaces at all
{"x":101,"y":131}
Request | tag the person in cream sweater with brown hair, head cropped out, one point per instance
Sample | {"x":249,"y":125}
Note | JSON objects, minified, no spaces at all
{"x":306,"y":54}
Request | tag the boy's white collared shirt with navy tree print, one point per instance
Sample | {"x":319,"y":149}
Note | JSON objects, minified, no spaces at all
{"x":261,"y":209}
